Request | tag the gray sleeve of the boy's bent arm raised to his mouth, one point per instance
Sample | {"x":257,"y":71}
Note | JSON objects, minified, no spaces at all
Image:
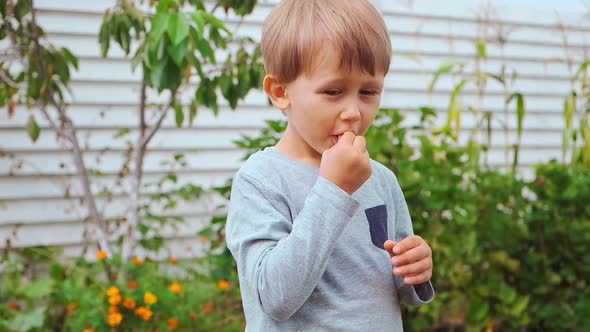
{"x":280,"y":260}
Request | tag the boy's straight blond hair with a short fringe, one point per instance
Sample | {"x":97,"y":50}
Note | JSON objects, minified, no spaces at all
{"x":297,"y":30}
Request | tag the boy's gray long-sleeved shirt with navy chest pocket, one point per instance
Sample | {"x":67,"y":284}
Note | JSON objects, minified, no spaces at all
{"x":310,"y":257}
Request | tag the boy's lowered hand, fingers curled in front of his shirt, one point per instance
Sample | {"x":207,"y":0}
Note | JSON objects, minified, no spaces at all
{"x":411,"y":259}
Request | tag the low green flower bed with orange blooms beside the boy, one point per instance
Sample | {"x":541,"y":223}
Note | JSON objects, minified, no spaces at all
{"x":79,"y":296}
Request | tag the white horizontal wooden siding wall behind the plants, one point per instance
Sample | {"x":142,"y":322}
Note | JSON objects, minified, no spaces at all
{"x":33,"y":177}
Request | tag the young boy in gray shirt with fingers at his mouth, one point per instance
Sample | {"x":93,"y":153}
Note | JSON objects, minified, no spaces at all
{"x":310,"y":220}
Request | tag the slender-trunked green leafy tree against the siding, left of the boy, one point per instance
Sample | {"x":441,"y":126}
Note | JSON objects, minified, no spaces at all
{"x":176,"y":44}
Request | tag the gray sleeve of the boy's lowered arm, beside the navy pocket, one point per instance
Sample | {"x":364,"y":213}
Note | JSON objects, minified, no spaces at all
{"x":409,"y":294}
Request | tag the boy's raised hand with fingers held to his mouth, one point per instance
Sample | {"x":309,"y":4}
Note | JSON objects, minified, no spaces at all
{"x":346,"y":164}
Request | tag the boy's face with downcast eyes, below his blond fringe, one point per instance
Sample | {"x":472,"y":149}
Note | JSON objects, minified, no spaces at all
{"x":327,"y":103}
